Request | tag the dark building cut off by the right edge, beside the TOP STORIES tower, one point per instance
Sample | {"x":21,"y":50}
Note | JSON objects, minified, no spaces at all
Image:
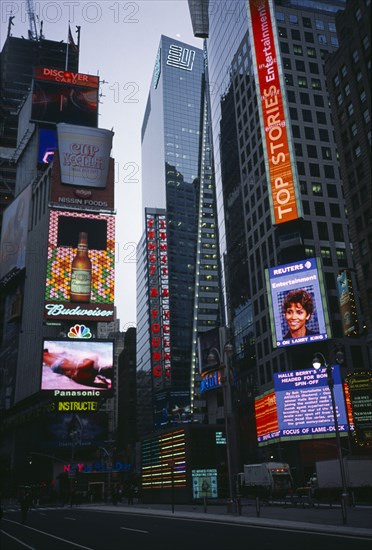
{"x":348,"y":73}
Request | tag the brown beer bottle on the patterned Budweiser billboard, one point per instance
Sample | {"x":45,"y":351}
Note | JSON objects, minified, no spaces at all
{"x":81,"y":272}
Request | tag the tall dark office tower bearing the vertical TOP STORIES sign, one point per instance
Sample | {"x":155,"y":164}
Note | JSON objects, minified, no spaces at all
{"x":252,"y":196}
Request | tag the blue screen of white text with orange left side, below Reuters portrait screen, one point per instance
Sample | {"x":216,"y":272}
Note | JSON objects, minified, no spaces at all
{"x":301,"y":406}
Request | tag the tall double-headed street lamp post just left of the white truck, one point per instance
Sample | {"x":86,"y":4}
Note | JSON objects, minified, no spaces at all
{"x":226,"y":389}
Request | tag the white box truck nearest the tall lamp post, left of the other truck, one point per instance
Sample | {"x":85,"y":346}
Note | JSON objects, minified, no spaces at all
{"x":268,"y":479}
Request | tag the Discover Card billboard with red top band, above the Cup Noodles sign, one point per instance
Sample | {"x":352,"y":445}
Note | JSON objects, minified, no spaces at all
{"x":64,"y":96}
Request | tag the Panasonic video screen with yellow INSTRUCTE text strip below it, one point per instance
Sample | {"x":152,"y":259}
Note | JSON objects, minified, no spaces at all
{"x":77,"y":369}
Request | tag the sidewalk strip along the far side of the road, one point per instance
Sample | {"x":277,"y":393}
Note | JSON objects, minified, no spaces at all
{"x":321,"y":519}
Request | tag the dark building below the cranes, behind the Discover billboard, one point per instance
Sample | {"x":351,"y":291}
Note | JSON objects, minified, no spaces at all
{"x":18,"y":58}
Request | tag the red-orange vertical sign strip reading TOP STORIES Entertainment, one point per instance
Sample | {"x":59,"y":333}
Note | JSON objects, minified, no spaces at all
{"x":271,"y":101}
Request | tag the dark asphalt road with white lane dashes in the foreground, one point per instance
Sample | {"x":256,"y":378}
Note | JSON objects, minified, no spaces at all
{"x":74,"y":528}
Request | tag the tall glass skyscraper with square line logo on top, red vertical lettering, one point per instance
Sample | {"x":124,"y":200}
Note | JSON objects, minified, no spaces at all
{"x":178,"y":181}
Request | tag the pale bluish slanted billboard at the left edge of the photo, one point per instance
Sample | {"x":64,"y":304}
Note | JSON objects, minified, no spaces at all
{"x":14,"y":233}
